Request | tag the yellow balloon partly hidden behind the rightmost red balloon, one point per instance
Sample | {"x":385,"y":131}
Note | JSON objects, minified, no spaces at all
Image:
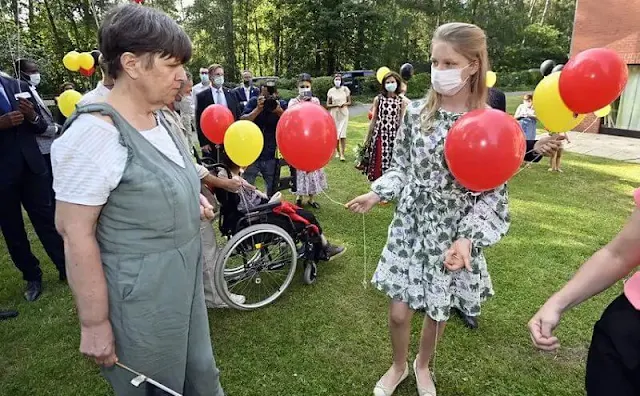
{"x":550,"y":108}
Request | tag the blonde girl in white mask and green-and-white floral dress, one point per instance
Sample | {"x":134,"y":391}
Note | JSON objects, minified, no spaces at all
{"x":433,"y":258}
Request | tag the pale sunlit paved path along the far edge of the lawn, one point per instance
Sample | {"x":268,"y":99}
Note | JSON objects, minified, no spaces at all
{"x":606,"y":146}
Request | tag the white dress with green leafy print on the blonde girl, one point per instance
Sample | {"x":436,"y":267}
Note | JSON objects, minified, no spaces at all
{"x":434,"y":210}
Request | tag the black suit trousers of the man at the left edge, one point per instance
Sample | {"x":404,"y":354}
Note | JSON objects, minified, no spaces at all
{"x":34,"y":193}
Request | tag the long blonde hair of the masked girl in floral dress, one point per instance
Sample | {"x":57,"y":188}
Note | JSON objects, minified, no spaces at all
{"x":471,"y":42}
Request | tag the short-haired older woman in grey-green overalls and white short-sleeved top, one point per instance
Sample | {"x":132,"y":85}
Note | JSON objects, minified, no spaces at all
{"x":129,"y":211}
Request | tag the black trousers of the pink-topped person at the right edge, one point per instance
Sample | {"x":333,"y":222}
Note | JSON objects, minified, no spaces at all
{"x":613,"y":365}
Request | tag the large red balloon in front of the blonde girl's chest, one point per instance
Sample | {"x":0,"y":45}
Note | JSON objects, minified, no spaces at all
{"x":484,"y":148}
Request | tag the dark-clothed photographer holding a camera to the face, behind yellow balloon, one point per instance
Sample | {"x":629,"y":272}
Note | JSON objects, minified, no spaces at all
{"x":265,"y":111}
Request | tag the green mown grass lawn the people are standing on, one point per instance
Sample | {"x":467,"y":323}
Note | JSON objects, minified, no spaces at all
{"x":331,"y":338}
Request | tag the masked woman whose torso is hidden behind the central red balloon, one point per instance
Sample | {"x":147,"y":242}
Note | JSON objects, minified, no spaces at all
{"x":308,"y":183}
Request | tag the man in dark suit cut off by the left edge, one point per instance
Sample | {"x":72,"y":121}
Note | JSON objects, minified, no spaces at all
{"x":24,"y":182}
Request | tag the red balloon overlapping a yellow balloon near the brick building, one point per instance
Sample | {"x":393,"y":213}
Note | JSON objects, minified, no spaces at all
{"x":593,"y":79}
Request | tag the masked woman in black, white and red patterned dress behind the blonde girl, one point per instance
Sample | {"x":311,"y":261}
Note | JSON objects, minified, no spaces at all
{"x":385,"y":122}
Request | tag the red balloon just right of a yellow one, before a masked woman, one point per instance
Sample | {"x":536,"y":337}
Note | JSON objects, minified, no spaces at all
{"x":306,"y":136}
